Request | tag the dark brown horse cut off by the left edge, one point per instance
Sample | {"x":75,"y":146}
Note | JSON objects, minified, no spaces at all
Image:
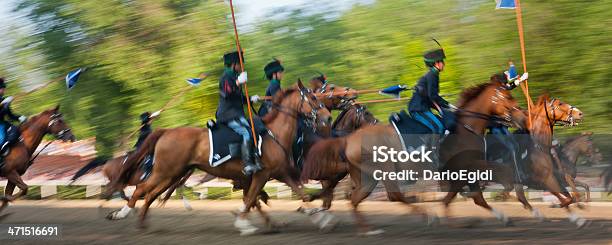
{"x":20,"y":158}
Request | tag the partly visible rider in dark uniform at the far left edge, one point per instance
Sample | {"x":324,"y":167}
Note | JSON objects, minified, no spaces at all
{"x":8,"y":133}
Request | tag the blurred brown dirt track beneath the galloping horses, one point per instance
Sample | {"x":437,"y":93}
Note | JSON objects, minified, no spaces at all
{"x":211,"y":223}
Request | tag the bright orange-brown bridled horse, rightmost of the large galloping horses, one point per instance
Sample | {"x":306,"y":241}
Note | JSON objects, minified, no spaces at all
{"x":546,"y":113}
